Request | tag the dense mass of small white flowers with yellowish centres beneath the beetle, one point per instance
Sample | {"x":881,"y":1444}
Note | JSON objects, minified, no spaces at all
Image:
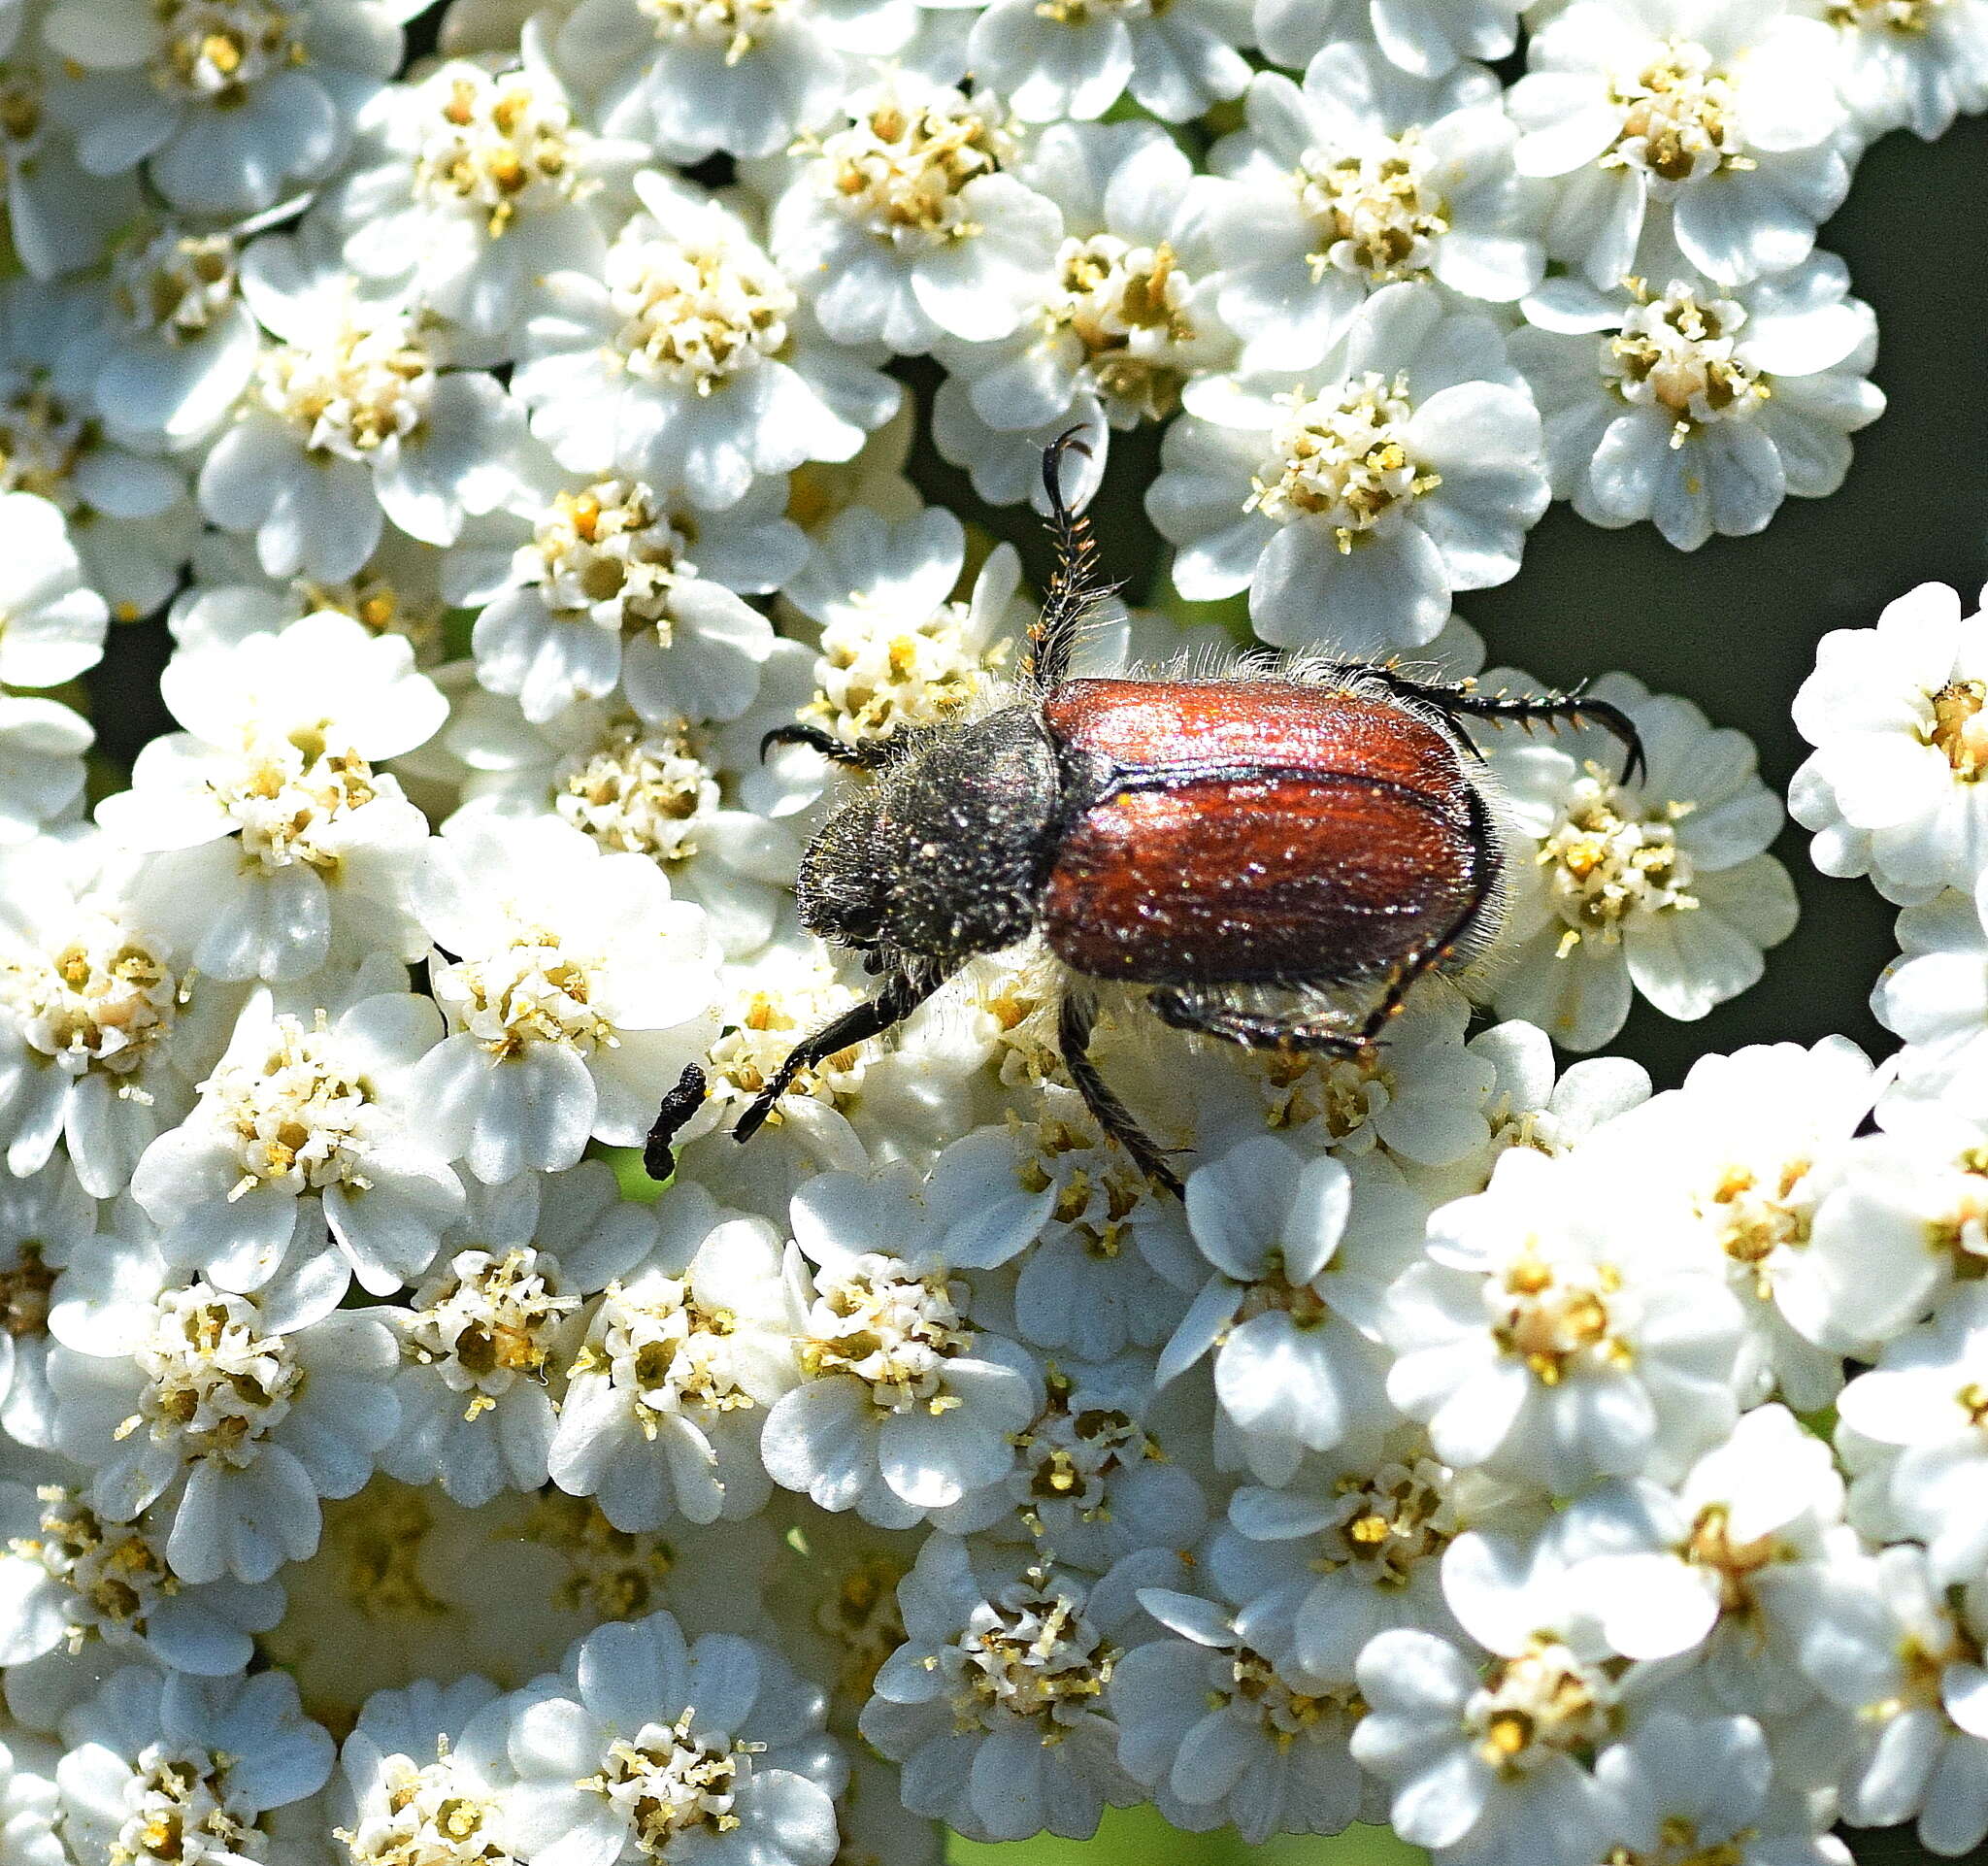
{"x":514,"y":441}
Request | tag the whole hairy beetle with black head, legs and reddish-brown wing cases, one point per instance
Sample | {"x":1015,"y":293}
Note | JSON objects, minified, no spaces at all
{"x":1240,"y":850}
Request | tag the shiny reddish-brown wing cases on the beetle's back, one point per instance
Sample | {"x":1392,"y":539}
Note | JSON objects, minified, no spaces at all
{"x":1242,"y":833}
